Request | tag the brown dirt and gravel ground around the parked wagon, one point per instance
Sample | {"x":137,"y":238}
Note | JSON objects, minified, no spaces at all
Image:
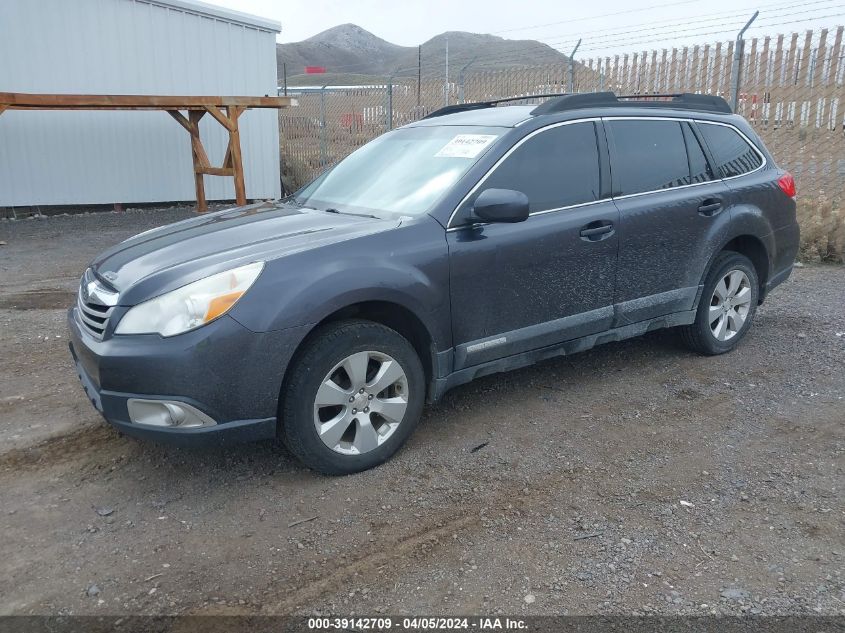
{"x":637,"y":478}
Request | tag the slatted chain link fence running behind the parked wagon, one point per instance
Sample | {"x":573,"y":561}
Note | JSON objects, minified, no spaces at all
{"x":791,"y":88}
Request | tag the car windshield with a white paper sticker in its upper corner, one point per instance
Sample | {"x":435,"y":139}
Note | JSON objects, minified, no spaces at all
{"x":403,"y":172}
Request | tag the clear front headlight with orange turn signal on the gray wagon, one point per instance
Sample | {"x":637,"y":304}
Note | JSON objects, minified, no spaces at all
{"x":190,"y":306}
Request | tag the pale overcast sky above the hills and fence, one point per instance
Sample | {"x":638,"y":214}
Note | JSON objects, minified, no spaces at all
{"x":606,"y":27}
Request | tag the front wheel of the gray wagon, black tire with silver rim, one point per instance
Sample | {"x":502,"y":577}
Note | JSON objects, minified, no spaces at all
{"x":332,"y":385}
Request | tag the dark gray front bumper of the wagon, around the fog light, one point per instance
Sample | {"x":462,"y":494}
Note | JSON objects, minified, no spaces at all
{"x":224,"y":370}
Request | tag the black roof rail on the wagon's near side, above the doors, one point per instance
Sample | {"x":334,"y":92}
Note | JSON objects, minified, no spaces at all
{"x":680,"y":101}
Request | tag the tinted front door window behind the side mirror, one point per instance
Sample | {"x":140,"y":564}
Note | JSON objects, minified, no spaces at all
{"x":558,"y":167}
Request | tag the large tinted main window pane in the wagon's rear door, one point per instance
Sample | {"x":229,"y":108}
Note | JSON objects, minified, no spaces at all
{"x":650,"y":155}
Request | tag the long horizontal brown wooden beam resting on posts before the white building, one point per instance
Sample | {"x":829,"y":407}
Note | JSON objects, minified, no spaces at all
{"x":23,"y":100}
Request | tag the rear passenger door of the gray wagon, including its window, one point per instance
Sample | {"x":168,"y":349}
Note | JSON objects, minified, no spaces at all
{"x":672,"y":208}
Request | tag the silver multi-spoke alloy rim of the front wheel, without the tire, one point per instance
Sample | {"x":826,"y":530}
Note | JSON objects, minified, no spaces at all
{"x":361,"y":402}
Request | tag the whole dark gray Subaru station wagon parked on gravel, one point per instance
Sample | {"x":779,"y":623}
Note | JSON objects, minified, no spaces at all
{"x":480,"y":239}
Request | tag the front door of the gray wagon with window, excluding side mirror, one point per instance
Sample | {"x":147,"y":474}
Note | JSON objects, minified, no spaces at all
{"x":518,"y":287}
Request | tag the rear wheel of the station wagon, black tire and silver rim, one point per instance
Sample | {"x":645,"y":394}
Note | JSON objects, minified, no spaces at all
{"x":706,"y":335}
